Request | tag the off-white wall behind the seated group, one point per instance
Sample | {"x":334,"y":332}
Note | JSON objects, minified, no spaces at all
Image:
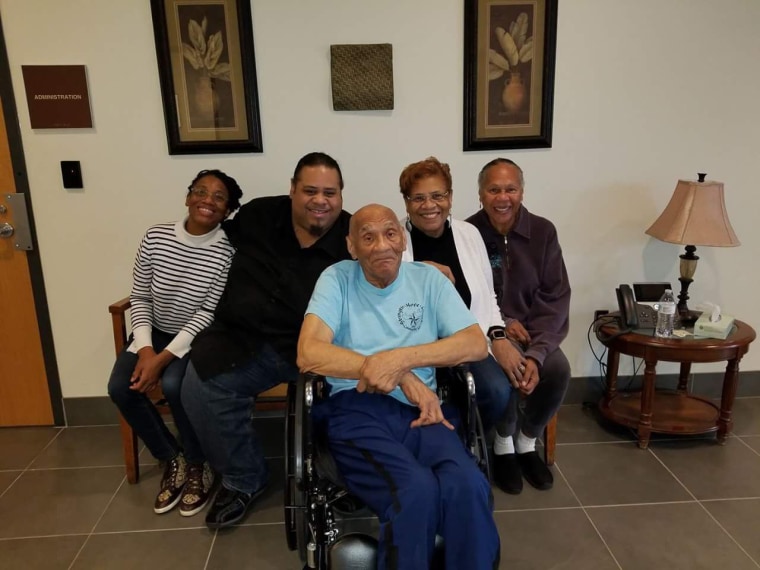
{"x":646,"y":92}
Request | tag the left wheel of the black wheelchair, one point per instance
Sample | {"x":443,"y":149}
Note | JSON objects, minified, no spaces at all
{"x":296,"y":526}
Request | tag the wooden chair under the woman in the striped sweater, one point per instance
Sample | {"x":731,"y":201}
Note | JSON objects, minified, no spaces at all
{"x":273,"y":399}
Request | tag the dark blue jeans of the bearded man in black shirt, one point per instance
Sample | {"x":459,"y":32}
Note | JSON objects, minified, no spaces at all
{"x":221,"y":410}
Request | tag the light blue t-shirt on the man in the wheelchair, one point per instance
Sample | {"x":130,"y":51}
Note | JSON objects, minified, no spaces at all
{"x":419,"y":307}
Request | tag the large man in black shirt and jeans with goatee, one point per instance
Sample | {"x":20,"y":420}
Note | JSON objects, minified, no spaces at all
{"x":283,"y":244}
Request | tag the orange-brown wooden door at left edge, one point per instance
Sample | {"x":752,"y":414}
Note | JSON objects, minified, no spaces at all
{"x":24,"y":393}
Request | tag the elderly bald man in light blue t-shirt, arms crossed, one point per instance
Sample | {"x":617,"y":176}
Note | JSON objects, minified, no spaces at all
{"x":376,"y":329}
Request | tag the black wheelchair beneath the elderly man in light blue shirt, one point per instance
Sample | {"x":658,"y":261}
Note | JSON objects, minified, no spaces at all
{"x":314,"y":489}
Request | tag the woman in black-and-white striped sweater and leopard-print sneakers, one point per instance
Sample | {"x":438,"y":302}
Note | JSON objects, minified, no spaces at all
{"x":179,"y":275}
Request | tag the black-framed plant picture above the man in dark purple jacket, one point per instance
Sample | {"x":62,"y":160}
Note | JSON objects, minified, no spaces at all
{"x":509,"y":60}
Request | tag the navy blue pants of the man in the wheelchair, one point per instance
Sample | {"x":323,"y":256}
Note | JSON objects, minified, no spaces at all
{"x":419,"y":481}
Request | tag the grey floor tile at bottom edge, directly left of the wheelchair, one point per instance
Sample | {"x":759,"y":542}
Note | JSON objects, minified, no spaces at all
{"x":255,"y":547}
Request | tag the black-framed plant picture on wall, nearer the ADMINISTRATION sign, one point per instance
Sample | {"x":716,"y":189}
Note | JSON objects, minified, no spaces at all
{"x":207,"y":72}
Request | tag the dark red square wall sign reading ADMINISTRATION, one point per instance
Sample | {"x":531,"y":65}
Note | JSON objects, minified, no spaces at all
{"x":57,"y":96}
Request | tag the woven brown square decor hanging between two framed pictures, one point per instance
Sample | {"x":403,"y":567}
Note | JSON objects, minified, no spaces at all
{"x":362,"y":76}
